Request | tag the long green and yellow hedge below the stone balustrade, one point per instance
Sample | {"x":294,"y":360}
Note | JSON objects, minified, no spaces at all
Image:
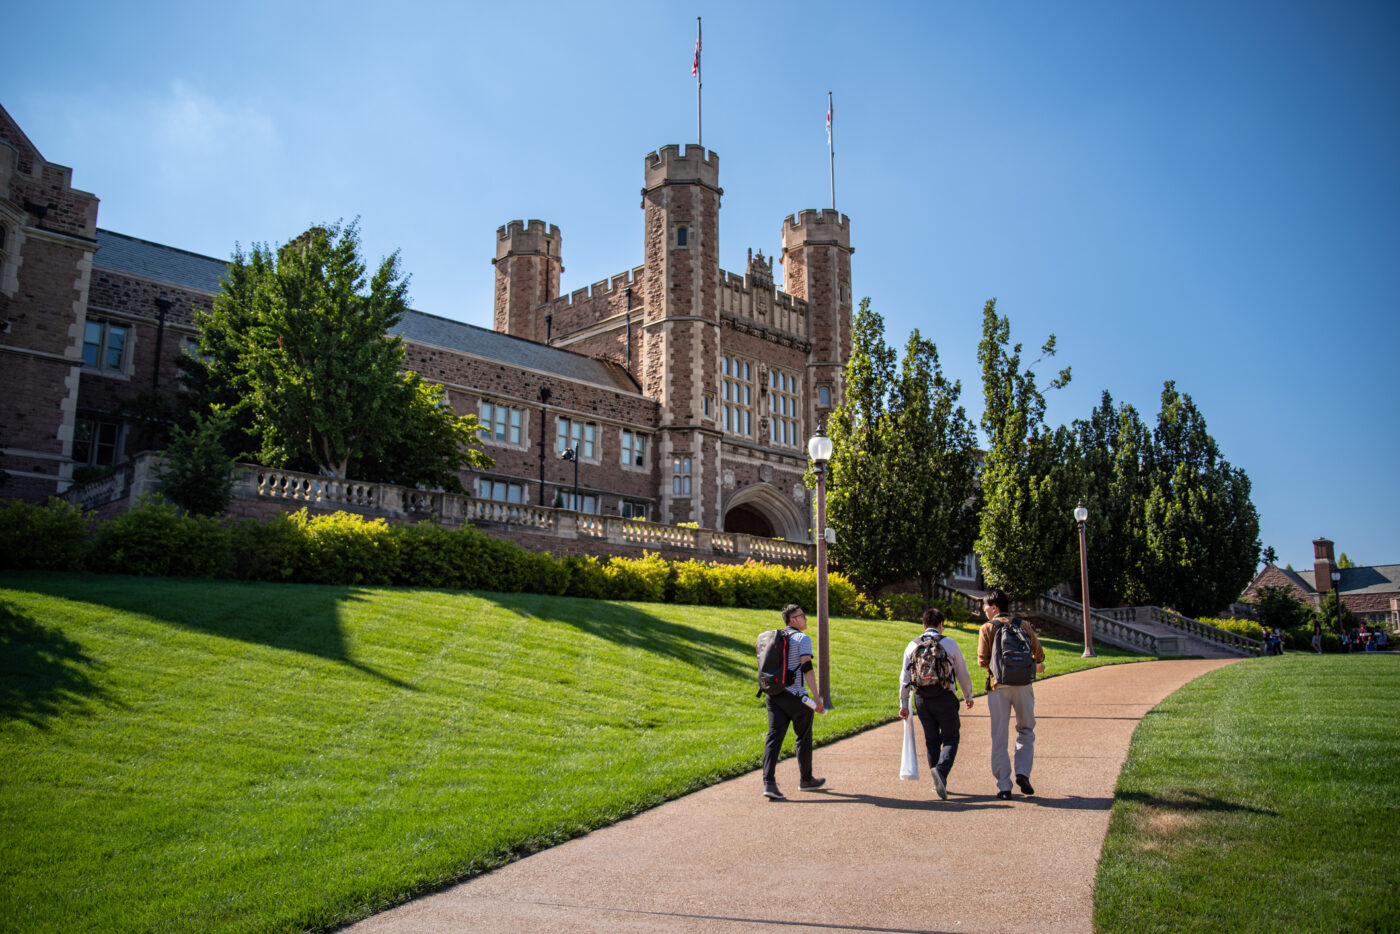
{"x":155,"y":538}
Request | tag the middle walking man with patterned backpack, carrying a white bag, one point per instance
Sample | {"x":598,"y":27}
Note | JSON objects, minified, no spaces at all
{"x":932,"y":664}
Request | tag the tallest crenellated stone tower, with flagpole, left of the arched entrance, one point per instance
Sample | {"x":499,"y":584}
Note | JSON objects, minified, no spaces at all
{"x":681,"y":326}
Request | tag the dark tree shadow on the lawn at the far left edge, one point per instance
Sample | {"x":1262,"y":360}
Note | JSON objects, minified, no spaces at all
{"x":43,"y":673}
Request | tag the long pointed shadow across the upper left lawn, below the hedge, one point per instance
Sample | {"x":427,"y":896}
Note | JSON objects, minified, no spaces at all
{"x":303,"y":620}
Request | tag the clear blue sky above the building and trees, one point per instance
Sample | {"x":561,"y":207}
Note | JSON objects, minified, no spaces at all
{"x":1179,"y":190}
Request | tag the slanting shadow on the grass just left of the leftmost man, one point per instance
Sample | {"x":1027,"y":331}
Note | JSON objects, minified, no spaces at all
{"x":626,"y":625}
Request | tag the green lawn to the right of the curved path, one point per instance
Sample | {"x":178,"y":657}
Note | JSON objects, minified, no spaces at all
{"x":1262,"y":797}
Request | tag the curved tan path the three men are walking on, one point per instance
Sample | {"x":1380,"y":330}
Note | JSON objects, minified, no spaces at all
{"x":866,"y":853}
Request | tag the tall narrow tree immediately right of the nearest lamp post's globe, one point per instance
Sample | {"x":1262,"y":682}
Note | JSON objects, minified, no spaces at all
{"x":857,"y":501}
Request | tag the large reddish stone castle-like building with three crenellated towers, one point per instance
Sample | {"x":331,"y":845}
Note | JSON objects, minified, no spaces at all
{"x":688,"y":391}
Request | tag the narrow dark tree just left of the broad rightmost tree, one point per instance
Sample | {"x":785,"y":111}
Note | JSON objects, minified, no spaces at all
{"x":1114,"y":443}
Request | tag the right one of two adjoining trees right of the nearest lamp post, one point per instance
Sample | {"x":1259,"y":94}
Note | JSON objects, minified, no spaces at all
{"x":932,"y":449}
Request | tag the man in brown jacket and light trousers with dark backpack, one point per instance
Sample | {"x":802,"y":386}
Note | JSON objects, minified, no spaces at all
{"x":1011,"y":653}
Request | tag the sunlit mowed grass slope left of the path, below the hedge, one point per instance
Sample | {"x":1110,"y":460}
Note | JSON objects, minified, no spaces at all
{"x":220,"y":757}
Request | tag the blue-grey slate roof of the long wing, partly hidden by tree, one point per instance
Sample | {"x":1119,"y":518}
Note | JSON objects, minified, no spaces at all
{"x":192,"y":271}
